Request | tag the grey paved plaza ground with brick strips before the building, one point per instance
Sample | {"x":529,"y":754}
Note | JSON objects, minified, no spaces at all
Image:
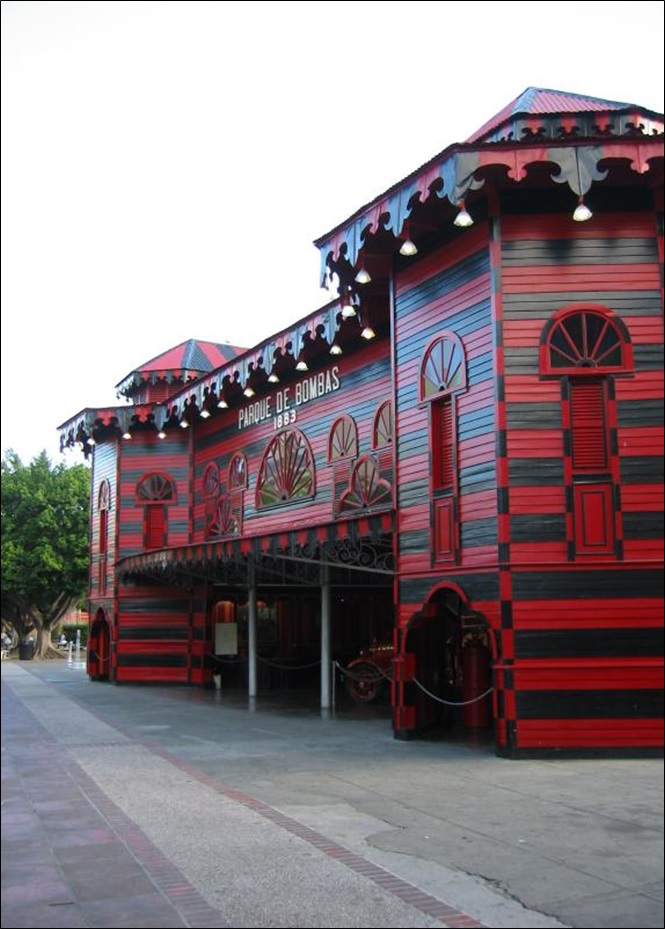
{"x":153,"y":806}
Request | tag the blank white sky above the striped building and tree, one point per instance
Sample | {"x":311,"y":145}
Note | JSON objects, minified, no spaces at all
{"x":166,"y":166}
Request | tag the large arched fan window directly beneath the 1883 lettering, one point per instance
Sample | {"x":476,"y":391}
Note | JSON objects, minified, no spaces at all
{"x":287,"y":470}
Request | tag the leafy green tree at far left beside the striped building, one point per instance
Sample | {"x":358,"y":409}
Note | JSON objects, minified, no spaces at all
{"x":45,"y":530}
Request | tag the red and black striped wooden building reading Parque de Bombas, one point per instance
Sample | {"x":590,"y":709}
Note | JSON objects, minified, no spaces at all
{"x":458,"y":458}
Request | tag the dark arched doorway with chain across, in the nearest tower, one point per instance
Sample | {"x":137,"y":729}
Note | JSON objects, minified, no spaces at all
{"x":447,"y":645}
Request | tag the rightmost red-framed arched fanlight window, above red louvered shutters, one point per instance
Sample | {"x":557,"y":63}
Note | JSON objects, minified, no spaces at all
{"x":585,"y":340}
